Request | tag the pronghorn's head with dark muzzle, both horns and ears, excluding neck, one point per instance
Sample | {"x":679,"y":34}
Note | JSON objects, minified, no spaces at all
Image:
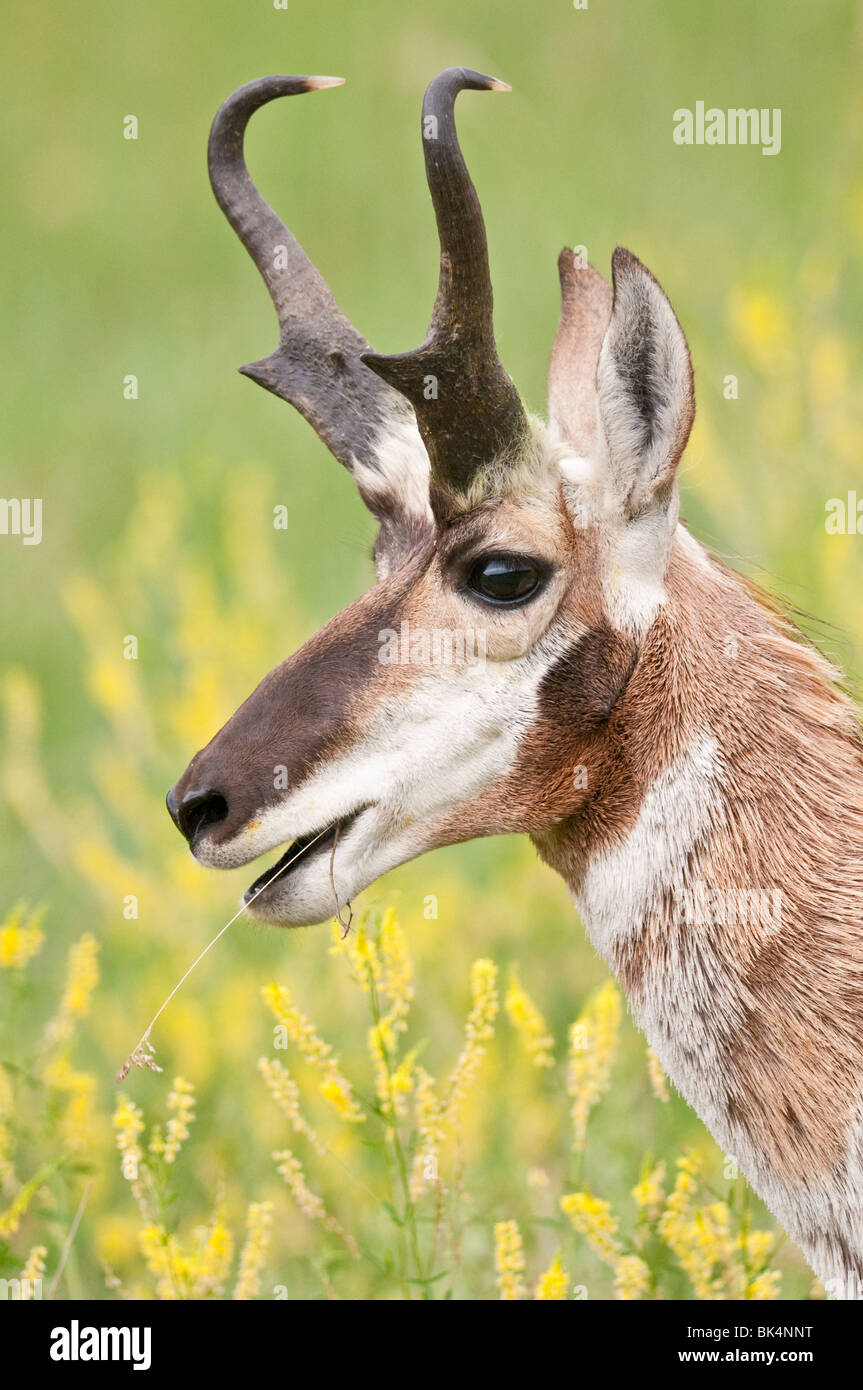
{"x":519,"y":565}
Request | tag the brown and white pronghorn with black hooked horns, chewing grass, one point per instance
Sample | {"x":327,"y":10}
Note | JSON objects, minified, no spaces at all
{"x":661,"y":730}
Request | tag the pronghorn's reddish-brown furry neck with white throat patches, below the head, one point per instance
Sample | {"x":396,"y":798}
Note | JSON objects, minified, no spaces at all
{"x":725,"y":886}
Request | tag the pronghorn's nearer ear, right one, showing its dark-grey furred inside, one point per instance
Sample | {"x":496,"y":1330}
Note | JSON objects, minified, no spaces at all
{"x":647,"y":401}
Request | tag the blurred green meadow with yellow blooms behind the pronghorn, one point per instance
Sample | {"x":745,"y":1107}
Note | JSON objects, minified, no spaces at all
{"x":158,"y":512}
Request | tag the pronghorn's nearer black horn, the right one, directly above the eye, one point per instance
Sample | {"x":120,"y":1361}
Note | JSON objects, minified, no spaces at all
{"x":468,"y":408}
